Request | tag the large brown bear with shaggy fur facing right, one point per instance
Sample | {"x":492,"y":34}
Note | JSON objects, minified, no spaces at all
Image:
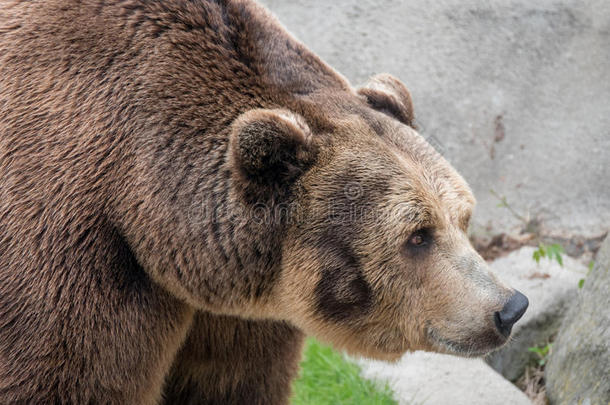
{"x":186,"y":191}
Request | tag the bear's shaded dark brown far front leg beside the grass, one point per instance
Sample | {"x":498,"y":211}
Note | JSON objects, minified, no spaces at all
{"x":229,"y":361}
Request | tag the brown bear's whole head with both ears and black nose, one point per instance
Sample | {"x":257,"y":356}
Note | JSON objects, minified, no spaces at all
{"x":374,"y":252}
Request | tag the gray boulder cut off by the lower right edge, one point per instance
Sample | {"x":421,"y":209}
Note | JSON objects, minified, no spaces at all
{"x":578,"y":371}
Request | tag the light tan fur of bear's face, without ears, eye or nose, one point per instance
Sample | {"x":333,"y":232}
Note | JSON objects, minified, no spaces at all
{"x":441,"y":301}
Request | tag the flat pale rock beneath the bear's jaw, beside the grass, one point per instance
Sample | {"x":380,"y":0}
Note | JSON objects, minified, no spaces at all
{"x":437,"y":379}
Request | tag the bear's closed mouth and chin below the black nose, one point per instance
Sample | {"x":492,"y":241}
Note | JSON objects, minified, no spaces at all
{"x":476,"y":346}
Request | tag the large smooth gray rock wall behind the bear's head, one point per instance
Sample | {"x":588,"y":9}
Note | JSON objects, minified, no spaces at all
{"x":515,"y":93}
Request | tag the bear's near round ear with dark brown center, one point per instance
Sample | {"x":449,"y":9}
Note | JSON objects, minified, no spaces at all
{"x":270,"y":148}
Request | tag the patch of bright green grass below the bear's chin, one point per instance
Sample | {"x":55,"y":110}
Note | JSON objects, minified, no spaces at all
{"x":327,"y":378}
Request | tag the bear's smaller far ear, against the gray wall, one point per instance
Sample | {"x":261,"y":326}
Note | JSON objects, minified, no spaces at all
{"x":387,"y":94}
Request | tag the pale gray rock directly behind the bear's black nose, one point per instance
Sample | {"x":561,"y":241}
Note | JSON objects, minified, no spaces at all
{"x":551,"y":290}
